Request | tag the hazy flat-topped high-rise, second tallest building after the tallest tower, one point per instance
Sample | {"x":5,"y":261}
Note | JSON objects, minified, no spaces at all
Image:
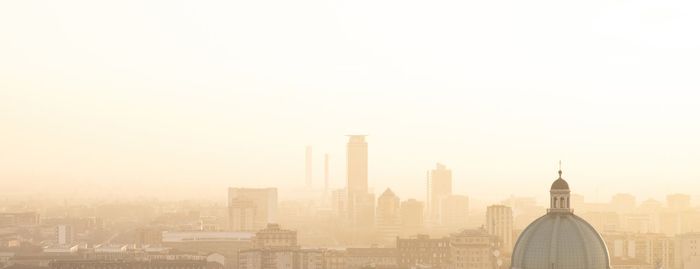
{"x":439,"y":186}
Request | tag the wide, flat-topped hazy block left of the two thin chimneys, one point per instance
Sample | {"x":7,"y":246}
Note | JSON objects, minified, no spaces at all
{"x":264,"y":201}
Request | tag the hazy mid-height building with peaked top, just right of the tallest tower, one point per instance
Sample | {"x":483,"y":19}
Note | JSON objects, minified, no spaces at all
{"x":388,"y":216}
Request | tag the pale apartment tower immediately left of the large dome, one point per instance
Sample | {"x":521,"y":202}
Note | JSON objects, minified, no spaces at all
{"x":499,"y":223}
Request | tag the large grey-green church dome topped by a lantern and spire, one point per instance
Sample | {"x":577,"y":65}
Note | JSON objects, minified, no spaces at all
{"x":560,"y":239}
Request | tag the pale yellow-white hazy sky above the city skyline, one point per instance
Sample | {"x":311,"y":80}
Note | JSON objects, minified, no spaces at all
{"x":185,"y":98}
